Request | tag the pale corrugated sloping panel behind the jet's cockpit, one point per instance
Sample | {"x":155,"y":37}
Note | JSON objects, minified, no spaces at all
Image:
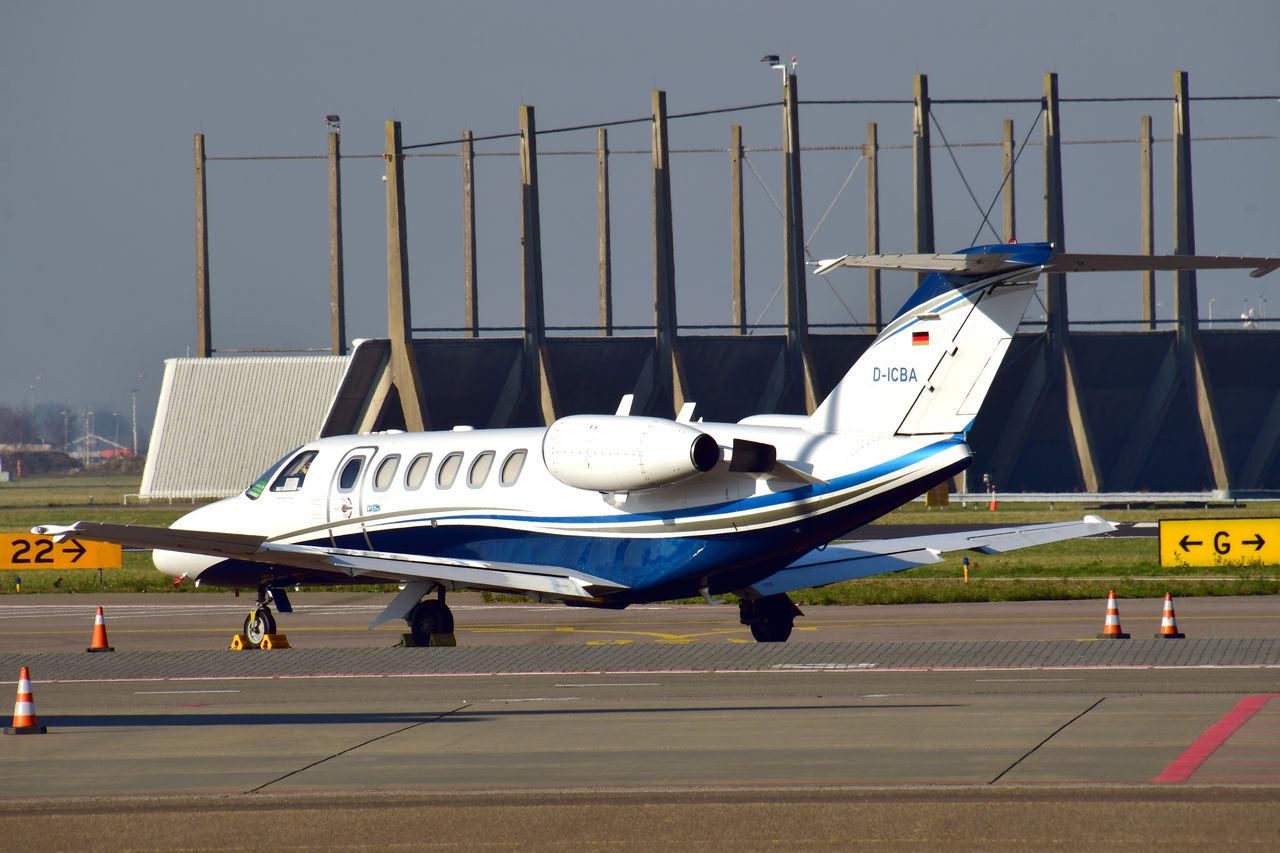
{"x":222,"y":422}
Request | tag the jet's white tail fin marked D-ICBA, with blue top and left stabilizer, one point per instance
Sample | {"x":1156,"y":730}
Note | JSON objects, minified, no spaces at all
{"x":931,"y":368}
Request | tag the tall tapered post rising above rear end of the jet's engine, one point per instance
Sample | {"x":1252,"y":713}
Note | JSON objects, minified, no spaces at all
{"x":669,"y":382}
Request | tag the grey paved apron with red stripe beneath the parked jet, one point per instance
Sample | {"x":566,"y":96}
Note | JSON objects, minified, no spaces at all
{"x":968,"y":727}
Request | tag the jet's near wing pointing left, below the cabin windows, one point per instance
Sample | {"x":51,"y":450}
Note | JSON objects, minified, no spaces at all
{"x":522,"y":578}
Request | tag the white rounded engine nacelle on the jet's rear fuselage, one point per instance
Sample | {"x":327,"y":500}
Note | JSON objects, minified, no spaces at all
{"x":624,"y":454}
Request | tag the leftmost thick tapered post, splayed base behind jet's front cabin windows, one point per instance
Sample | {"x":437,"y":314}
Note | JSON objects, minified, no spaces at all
{"x":400,"y":329}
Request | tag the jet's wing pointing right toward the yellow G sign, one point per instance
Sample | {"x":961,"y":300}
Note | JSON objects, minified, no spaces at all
{"x":847,"y":562}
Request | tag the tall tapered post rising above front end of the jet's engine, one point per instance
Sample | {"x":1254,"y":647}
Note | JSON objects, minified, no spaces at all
{"x":538,"y":377}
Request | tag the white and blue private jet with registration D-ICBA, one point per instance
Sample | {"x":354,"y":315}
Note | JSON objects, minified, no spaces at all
{"x":614,"y":510}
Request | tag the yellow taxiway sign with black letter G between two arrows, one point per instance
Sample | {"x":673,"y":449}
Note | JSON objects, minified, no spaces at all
{"x":1220,"y":542}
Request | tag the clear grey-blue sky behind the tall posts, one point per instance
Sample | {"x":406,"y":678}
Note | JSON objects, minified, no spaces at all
{"x":99,"y":103}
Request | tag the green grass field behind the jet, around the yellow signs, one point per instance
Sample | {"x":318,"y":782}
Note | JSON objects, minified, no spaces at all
{"x":1076,"y":569}
